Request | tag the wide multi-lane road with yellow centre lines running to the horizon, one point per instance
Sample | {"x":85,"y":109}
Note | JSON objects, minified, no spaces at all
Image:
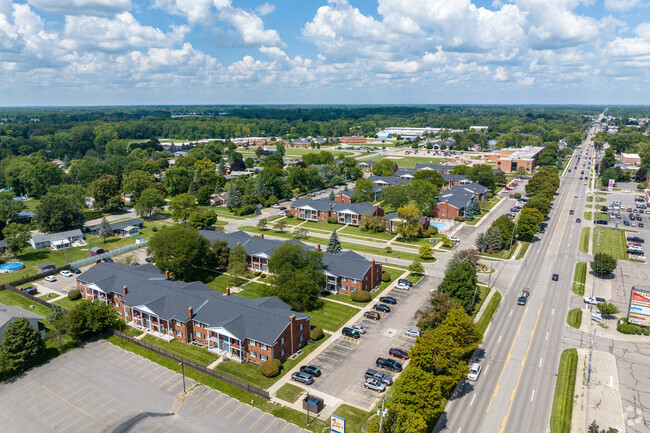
{"x":521,"y":351}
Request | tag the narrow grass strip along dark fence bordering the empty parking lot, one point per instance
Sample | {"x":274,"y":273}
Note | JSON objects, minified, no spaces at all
{"x":285,"y":413}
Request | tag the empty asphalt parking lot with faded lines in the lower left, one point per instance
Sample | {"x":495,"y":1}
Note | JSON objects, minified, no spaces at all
{"x":102,"y":388}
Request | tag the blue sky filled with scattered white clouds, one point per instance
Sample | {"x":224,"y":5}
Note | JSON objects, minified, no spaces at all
{"x":113,"y":52}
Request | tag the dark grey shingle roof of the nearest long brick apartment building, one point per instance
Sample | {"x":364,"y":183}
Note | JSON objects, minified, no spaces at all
{"x":262,"y":319}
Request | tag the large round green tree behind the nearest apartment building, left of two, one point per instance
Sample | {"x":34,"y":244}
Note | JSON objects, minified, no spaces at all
{"x":181,"y":250}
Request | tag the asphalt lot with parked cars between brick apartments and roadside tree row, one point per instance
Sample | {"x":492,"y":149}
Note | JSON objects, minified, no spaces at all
{"x":345,"y":361}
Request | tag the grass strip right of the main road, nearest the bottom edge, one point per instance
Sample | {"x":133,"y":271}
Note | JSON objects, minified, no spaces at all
{"x":564,"y":392}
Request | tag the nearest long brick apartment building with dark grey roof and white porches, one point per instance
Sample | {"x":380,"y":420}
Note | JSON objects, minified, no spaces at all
{"x":241,"y":329}
